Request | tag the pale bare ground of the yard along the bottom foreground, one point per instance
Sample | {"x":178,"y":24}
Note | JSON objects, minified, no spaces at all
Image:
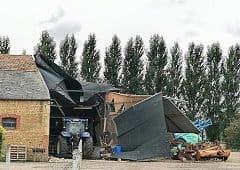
{"x":232,"y":163}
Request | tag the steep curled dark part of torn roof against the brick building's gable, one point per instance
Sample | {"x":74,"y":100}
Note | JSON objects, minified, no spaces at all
{"x":62,"y":87}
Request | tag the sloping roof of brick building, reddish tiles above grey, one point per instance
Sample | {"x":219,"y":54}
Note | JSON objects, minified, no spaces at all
{"x":20,"y":79}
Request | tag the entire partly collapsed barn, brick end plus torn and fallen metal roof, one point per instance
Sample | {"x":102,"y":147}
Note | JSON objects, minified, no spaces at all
{"x":36,"y":95}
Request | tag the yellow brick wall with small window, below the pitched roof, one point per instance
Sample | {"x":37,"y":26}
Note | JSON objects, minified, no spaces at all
{"x":32,"y":125}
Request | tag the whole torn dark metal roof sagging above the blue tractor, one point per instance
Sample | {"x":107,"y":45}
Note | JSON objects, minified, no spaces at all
{"x":67,"y":90}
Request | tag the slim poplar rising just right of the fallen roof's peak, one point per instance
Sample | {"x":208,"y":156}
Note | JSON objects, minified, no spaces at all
{"x":175,"y":72}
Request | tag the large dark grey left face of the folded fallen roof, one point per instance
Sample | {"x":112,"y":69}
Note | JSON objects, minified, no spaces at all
{"x":142,"y":131}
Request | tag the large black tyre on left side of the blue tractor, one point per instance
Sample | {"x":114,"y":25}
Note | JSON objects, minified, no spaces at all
{"x":62,"y":148}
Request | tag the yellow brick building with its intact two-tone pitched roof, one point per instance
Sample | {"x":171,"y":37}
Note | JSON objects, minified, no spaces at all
{"x":24,"y":103}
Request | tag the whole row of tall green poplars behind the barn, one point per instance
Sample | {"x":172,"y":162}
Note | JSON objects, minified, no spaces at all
{"x":208,"y":82}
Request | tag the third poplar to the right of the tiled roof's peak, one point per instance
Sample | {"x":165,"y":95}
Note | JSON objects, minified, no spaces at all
{"x":90,"y":67}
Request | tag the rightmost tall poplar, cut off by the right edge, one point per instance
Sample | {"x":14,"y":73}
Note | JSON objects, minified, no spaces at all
{"x":231,"y":84}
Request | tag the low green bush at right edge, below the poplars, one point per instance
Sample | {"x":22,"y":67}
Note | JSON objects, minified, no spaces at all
{"x":232,"y":133}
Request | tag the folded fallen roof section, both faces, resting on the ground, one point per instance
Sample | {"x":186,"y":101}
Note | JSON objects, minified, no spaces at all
{"x":142,"y":128}
